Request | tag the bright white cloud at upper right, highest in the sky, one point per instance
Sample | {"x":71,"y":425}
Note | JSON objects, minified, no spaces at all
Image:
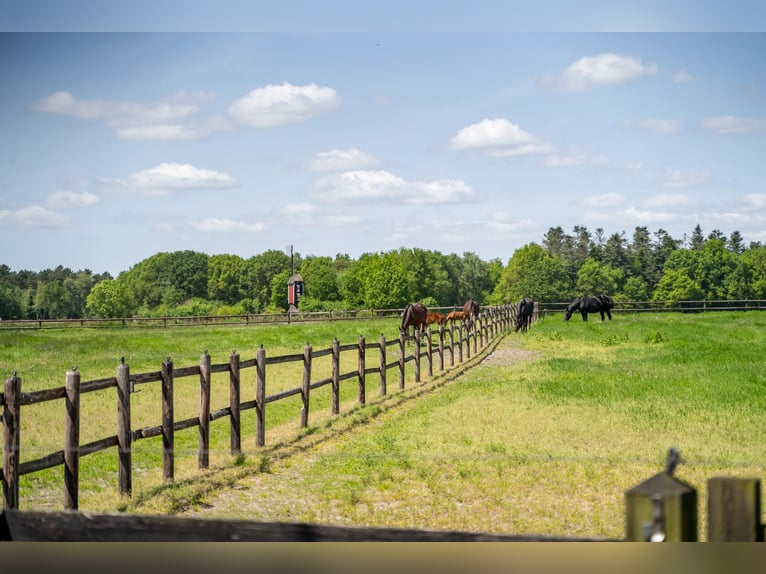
{"x":603,"y":70}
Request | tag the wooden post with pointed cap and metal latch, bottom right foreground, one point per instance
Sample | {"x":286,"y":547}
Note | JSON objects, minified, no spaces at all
{"x":662,"y":508}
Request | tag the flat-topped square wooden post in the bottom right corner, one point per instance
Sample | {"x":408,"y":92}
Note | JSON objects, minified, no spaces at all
{"x":734,"y":510}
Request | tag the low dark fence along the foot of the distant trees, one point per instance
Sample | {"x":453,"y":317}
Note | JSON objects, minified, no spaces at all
{"x":546,"y":308}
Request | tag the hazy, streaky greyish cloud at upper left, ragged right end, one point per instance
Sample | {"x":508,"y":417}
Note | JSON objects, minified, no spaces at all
{"x":162,"y":120}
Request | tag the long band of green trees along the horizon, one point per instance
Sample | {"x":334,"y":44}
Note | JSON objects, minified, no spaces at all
{"x":646,"y":267}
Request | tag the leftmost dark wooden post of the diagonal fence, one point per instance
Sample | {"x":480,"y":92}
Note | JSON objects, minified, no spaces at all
{"x":11,"y":441}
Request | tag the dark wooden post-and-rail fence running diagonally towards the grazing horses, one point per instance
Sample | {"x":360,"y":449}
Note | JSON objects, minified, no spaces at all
{"x":452,"y":343}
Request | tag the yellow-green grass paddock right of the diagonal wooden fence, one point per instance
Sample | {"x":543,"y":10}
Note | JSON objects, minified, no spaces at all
{"x":542,"y":446}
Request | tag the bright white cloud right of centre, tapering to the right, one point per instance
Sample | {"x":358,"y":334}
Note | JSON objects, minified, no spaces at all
{"x":498,"y":138}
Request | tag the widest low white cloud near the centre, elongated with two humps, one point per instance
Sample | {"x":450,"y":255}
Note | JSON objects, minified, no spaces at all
{"x":379,"y":186}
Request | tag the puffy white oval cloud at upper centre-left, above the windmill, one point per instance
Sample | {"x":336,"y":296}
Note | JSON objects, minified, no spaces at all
{"x":274,"y":105}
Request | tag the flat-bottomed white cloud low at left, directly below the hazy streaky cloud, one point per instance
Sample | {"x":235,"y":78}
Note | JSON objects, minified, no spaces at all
{"x":168,"y":177}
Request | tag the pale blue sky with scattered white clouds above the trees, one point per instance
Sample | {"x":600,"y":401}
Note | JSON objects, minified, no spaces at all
{"x":345,"y":127}
